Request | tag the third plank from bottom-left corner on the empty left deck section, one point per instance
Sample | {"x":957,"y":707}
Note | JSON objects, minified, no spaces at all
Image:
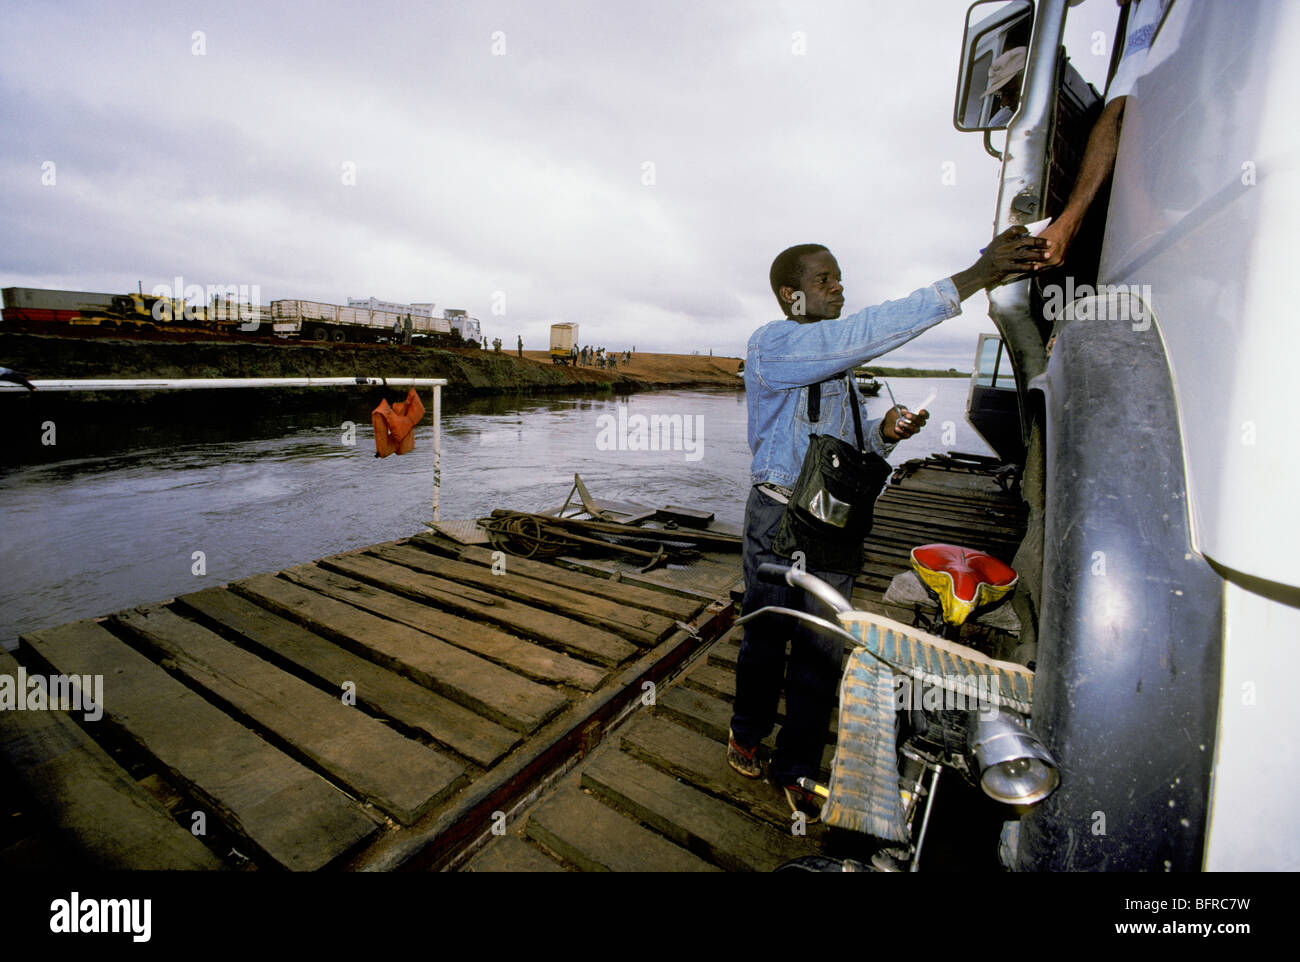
{"x":400,"y":777}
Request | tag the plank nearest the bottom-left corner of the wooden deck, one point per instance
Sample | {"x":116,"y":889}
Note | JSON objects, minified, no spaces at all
{"x":93,"y":803}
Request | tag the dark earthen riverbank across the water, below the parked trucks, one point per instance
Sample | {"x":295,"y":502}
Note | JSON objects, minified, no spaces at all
{"x":469,"y":372}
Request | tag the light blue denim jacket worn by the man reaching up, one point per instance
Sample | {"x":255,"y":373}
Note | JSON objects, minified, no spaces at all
{"x":786,"y":357}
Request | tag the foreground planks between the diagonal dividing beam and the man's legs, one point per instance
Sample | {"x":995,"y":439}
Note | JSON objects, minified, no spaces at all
{"x":658,"y":796}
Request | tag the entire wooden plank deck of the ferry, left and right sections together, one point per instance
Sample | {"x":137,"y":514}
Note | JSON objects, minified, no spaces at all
{"x":388,"y":708}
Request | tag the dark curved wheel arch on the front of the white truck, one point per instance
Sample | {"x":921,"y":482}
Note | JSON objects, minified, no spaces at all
{"x":1130,"y":636}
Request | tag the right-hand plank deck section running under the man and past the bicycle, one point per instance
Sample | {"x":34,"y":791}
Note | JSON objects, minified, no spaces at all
{"x":660,"y":796}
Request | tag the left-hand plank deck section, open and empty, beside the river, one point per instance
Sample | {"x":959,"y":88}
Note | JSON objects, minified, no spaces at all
{"x":370,"y":710}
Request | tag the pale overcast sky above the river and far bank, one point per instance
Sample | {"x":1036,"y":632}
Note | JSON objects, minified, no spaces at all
{"x":631,"y":167}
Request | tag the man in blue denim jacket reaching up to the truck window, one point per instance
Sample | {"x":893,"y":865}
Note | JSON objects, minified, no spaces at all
{"x":785,"y":358}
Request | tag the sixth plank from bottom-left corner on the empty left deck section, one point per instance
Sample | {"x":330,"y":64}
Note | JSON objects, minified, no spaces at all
{"x":528,"y":660}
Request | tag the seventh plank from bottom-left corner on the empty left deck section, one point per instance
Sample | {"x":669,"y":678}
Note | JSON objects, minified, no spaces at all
{"x":556,"y":631}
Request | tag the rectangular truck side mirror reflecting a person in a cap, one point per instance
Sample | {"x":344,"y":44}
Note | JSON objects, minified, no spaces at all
{"x":998,"y":33}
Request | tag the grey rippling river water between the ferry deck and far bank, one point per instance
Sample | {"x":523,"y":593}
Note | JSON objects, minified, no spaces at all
{"x":124,"y":521}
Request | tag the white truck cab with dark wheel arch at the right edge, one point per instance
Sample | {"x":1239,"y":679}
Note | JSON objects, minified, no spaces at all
{"x":1160,"y":573}
